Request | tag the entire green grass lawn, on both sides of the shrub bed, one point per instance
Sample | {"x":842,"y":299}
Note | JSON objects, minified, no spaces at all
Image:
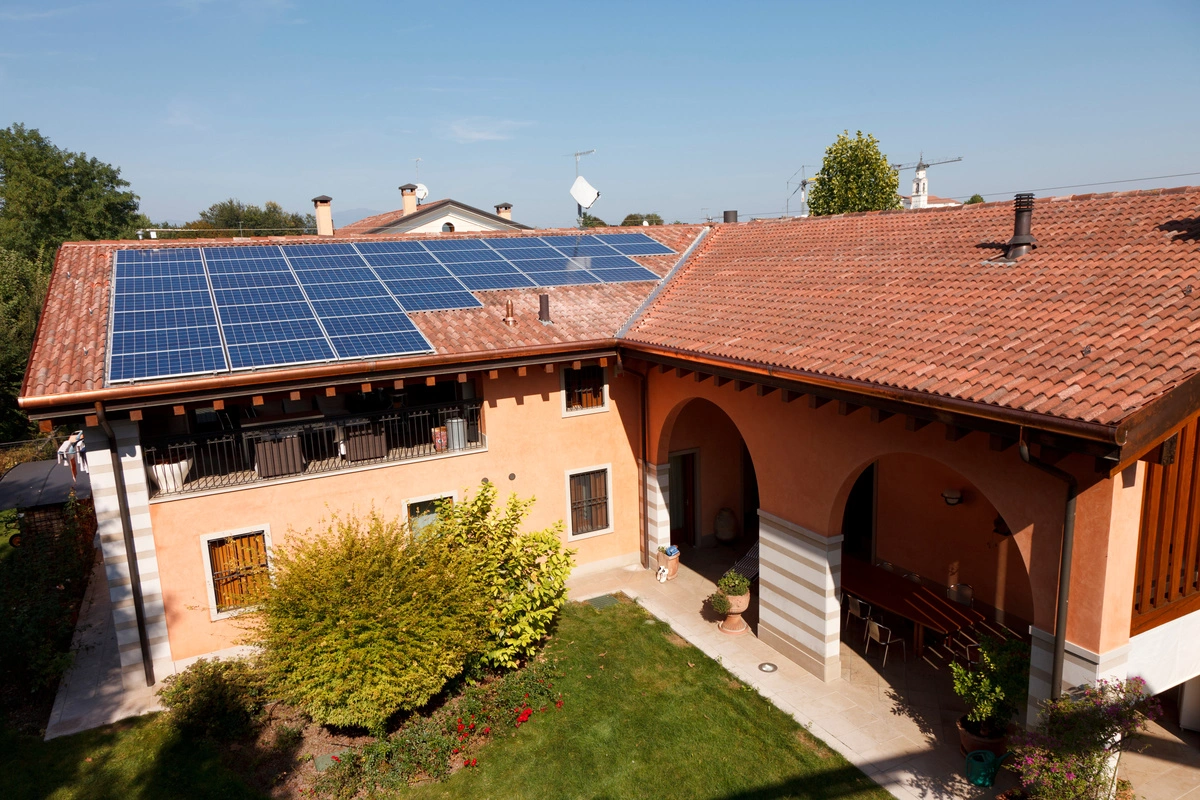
{"x":645,"y":715}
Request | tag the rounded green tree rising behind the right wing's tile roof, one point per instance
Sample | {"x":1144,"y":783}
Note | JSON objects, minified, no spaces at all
{"x":855,"y":177}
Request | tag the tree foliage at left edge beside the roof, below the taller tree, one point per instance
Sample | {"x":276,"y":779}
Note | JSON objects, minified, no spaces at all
{"x":22,"y":290}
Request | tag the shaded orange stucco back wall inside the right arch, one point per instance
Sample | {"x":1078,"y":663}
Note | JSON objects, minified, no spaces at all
{"x":911,"y":516}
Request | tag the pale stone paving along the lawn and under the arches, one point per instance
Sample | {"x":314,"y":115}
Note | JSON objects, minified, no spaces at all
{"x":896,"y":724}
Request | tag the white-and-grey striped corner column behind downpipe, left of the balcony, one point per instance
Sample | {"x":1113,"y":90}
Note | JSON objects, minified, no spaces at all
{"x":112,"y":544}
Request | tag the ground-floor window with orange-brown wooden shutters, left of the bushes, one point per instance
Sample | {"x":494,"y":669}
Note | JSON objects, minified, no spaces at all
{"x":238,"y":570}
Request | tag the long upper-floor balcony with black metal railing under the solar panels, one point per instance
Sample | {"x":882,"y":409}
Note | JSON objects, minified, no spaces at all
{"x":271,"y":449}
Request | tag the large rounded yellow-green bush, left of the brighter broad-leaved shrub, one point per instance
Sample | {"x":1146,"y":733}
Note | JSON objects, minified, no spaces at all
{"x":370,"y":619}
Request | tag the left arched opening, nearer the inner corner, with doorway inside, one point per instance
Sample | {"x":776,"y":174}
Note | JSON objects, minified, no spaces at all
{"x":712,"y":489}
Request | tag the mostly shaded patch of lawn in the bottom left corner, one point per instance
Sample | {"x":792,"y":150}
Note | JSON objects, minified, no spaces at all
{"x":137,"y":760}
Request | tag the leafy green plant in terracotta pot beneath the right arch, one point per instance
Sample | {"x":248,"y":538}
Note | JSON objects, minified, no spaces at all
{"x":994,"y":693}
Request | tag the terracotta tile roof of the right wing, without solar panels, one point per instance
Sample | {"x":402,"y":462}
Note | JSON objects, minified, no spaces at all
{"x":1095,"y":324}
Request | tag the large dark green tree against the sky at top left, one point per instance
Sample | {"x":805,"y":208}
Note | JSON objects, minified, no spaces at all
{"x":50,"y":196}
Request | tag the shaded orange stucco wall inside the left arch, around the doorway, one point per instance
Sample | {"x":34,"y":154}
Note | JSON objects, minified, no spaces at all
{"x":705,"y":428}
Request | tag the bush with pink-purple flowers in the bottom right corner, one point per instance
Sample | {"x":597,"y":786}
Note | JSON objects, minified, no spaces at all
{"x":1070,"y":755}
